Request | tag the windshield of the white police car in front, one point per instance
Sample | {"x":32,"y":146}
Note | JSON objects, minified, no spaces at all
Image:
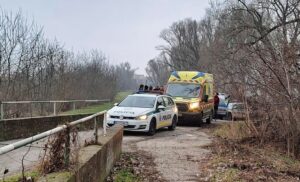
{"x":138,"y":101}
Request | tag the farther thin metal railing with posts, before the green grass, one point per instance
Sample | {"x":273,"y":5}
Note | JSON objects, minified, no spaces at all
{"x":54,"y":102}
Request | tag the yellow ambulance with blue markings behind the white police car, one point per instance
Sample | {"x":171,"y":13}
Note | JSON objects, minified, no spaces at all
{"x":193,"y":93}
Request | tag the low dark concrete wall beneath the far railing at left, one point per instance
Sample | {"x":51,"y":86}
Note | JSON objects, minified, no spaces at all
{"x":26,"y":127}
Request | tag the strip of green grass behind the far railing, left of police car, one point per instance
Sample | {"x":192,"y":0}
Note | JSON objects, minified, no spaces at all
{"x":100,"y":107}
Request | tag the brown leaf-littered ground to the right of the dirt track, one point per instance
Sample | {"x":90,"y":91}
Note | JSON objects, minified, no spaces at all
{"x":237,"y":156}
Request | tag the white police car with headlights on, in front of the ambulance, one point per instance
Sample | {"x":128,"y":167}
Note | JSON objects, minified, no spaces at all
{"x":144,"y":113}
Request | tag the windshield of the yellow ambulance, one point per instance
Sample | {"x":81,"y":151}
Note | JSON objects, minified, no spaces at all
{"x":183,"y":90}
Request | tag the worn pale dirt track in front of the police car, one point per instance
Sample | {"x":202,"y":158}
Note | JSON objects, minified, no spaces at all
{"x":177,"y":154}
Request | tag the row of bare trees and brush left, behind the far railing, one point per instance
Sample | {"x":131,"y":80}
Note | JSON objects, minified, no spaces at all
{"x":35,"y":68}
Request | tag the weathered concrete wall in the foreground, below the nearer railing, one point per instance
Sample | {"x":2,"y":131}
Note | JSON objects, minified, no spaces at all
{"x":95,"y":161}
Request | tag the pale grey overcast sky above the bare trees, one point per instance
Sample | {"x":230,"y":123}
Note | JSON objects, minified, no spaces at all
{"x":125,"y":30}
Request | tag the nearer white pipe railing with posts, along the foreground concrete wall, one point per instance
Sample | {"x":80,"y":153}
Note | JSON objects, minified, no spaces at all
{"x":66,"y":127}
